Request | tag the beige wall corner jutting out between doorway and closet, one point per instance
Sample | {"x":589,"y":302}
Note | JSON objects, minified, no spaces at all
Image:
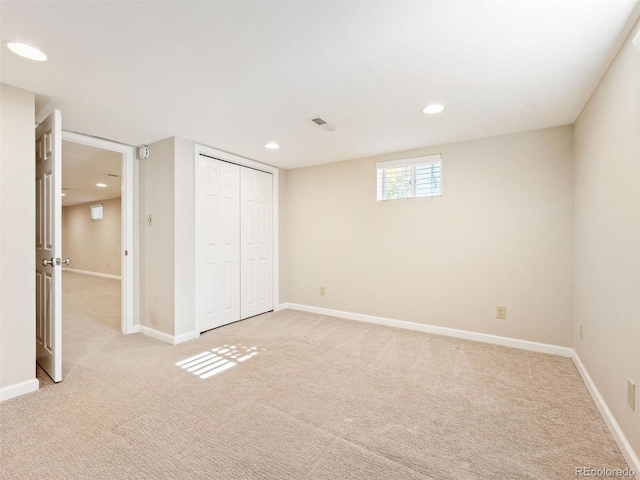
{"x":167,"y":261}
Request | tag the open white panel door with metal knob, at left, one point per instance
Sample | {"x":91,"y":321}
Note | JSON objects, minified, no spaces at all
{"x":49,"y":245}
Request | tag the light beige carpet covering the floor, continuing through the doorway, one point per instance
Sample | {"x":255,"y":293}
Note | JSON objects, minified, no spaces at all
{"x":322,"y":398}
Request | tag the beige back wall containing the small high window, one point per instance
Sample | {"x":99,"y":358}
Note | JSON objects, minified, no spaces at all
{"x":500,"y":235}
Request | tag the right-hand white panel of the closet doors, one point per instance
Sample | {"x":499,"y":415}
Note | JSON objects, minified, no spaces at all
{"x":256,"y":236}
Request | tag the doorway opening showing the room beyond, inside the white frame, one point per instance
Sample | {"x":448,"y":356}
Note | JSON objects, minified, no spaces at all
{"x":91,"y":238}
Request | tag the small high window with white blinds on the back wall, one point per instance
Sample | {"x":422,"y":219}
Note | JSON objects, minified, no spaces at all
{"x":410,"y":178}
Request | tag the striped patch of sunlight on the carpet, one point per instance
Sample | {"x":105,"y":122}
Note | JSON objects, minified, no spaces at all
{"x":219,"y":359}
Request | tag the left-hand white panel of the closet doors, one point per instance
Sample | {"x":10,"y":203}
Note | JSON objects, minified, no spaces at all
{"x":218,"y":234}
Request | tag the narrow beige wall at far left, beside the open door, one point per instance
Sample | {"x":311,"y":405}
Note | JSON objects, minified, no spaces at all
{"x":17,"y":237}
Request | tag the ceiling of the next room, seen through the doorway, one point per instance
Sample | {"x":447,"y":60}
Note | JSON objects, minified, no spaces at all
{"x":84,"y":166}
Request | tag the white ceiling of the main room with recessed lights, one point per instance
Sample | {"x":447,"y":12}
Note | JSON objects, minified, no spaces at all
{"x":234,"y":75}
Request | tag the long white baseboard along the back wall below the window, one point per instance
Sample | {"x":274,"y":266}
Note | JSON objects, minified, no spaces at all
{"x":449,"y":332}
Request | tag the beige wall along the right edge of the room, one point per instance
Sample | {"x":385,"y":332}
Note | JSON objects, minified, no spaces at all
{"x":606,"y":300}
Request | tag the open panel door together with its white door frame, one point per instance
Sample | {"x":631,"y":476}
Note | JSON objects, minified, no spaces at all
{"x":48,"y":245}
